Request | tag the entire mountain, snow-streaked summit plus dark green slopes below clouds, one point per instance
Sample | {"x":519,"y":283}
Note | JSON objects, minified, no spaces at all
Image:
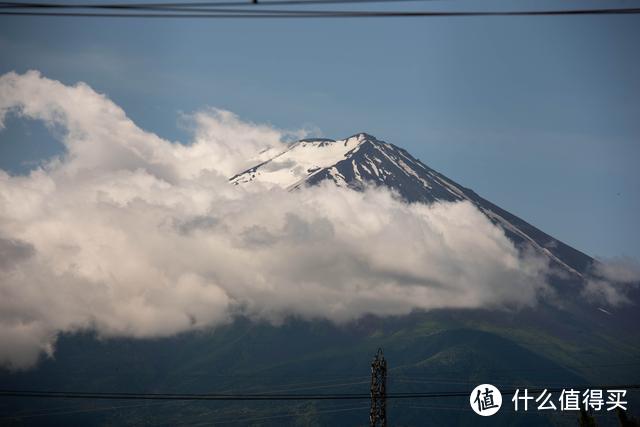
{"x":566,"y":343}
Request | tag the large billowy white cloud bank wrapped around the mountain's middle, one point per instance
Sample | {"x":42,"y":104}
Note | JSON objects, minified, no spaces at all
{"x":131,"y":235}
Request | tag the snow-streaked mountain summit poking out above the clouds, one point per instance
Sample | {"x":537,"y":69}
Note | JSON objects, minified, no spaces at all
{"x":362,"y":160}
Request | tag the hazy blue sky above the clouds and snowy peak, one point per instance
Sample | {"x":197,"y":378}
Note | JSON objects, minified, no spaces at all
{"x":539,"y":115}
